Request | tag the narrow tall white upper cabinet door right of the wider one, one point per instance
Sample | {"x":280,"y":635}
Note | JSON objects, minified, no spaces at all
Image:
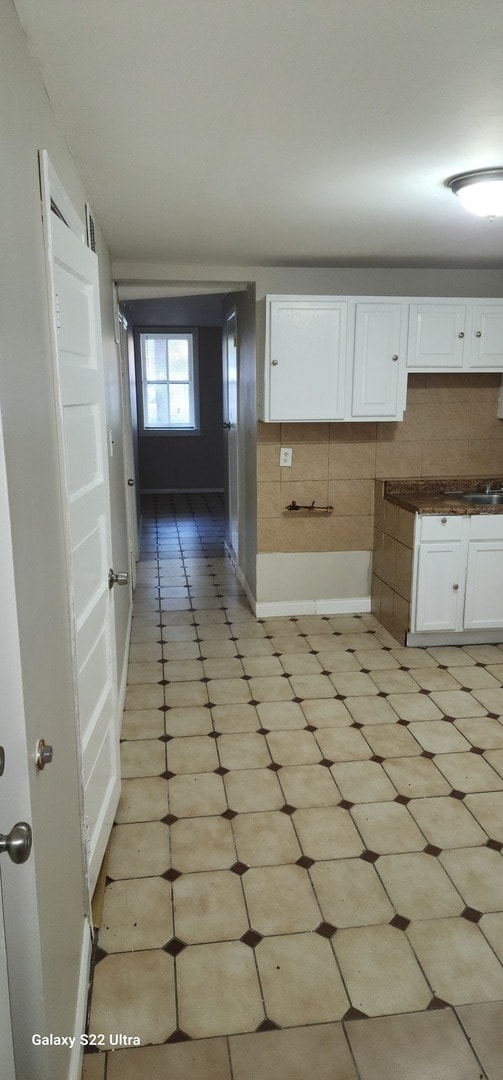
{"x":379,"y":374}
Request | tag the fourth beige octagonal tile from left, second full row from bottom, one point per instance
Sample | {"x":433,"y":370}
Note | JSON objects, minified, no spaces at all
{"x":350,"y":894}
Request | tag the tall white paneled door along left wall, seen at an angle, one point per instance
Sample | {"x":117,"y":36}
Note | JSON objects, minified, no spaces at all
{"x":80,"y":390}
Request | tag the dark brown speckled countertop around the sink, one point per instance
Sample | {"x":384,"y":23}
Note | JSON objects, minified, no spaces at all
{"x":429,"y":496}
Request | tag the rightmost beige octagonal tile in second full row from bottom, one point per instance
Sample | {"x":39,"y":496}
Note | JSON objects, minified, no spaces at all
{"x":478,"y":874}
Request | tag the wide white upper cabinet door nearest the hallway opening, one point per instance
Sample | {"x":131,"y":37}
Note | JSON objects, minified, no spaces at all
{"x":307,"y":360}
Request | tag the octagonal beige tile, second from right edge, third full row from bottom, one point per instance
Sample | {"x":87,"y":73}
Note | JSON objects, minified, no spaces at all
{"x":446,"y":822}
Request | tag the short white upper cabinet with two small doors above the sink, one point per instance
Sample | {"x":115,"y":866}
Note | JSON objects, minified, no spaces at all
{"x":456,"y":335}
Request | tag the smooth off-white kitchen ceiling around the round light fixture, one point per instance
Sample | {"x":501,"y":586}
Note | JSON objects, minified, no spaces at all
{"x":279,"y":132}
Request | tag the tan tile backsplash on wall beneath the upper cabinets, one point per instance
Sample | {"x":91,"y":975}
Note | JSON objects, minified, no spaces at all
{"x":451,"y":428}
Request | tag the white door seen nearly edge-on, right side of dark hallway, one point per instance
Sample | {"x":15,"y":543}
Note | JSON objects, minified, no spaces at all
{"x":230,"y":430}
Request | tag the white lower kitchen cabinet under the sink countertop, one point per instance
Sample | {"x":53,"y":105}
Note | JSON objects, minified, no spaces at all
{"x":458,"y":579}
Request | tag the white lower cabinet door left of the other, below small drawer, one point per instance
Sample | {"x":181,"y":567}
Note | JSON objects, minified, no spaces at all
{"x":439,"y":587}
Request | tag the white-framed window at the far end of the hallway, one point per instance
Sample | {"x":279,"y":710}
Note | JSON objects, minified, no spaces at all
{"x":169,"y":363}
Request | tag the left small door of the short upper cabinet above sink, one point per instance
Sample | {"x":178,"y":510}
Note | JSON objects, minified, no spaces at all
{"x":437,"y":337}
